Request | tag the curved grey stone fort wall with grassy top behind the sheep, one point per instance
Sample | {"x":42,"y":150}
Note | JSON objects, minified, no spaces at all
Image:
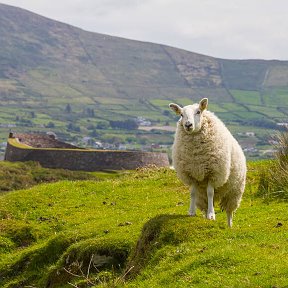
{"x":82,"y":159}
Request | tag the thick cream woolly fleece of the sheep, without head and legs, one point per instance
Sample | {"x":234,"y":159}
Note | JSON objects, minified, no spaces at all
{"x":210,"y":155}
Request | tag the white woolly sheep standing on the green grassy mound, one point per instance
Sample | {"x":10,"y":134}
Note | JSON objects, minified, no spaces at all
{"x":208,"y":159}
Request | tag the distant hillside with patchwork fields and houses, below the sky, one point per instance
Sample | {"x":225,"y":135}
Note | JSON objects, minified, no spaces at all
{"x":47,"y":66}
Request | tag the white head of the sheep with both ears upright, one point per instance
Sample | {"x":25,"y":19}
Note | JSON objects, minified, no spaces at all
{"x":191,"y":115}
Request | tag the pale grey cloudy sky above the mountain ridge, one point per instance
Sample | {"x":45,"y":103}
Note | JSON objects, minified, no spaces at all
{"x":233,"y":29}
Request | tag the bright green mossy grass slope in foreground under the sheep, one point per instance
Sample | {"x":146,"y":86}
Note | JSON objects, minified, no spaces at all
{"x":134,"y":232}
